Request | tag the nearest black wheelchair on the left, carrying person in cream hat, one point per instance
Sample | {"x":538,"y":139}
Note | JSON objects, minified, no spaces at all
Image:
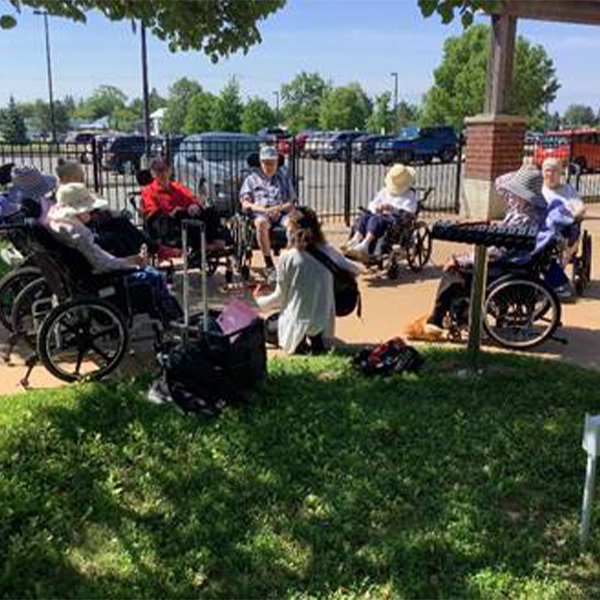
{"x":77,"y":323}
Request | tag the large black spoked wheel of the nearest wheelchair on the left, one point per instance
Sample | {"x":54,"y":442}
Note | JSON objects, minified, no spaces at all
{"x":82,"y":339}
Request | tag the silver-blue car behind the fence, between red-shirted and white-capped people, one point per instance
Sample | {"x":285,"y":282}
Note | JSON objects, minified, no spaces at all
{"x":215,"y":164}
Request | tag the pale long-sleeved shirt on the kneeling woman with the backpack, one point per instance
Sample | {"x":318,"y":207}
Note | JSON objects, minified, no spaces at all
{"x":305,"y":293}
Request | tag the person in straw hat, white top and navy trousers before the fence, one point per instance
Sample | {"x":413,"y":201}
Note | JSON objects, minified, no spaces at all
{"x":395,"y":204}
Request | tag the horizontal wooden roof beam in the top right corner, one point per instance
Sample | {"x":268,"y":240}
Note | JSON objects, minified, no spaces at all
{"x":585,"y":12}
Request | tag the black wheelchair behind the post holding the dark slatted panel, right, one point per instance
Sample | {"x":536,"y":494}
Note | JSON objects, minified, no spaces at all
{"x":521,"y":310}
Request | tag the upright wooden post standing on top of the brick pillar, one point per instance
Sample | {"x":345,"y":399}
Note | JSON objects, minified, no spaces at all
{"x":499,"y":75}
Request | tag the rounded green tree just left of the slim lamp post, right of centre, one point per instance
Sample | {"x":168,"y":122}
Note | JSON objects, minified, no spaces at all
{"x":346,"y":107}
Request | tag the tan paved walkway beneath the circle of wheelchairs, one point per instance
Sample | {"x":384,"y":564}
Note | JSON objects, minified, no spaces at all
{"x":389,"y":305}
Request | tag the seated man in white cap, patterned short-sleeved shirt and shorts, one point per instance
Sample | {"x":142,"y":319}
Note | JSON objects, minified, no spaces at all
{"x":268,"y":195}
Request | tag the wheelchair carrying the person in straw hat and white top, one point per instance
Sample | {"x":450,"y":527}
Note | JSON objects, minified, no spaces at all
{"x":410,"y":241}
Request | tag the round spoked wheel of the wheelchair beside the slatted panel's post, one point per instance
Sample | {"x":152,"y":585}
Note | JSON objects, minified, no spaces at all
{"x":521,"y":313}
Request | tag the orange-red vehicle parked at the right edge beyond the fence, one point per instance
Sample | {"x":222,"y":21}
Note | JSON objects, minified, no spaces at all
{"x":579,"y":146}
